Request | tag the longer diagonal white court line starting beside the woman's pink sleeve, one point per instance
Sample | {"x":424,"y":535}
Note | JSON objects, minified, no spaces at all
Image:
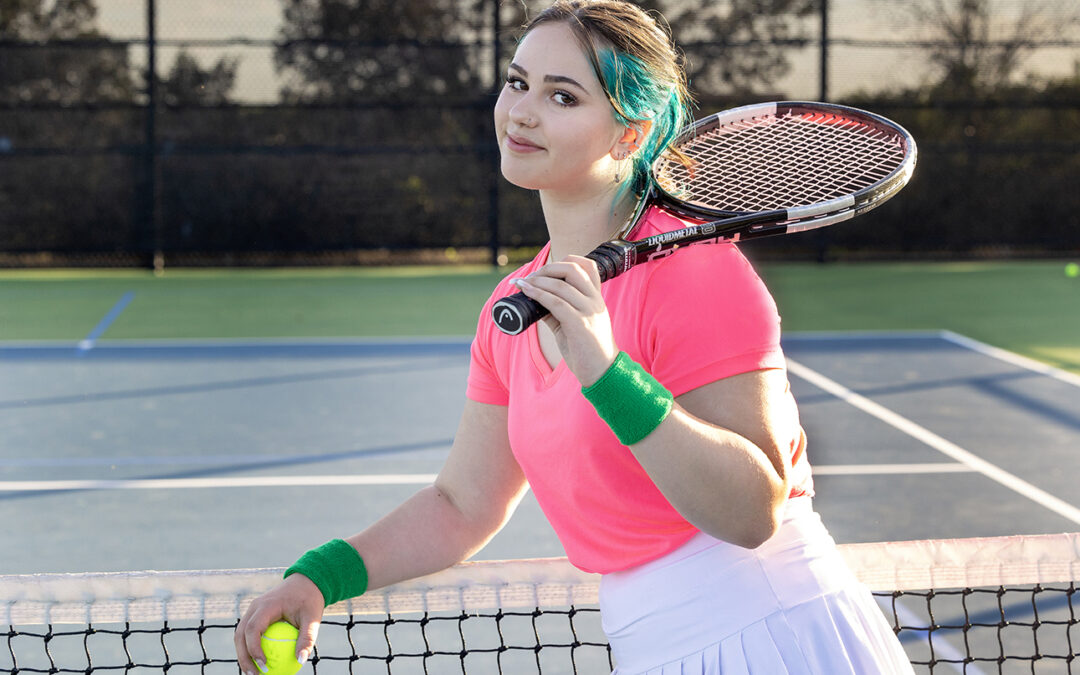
{"x":947,"y":448}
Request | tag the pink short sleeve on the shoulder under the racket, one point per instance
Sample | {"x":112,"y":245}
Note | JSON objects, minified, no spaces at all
{"x":708,"y":316}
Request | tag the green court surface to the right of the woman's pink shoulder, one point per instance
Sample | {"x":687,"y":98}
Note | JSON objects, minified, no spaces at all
{"x":1030,"y":308}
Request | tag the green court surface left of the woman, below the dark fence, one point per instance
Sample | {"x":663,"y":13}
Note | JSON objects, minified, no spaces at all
{"x":246,"y":304}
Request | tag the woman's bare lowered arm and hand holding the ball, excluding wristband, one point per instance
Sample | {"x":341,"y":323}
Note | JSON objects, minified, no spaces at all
{"x":474,"y":496}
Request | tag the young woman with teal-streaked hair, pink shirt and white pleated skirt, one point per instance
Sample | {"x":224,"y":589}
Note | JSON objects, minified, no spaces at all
{"x":652,"y":416}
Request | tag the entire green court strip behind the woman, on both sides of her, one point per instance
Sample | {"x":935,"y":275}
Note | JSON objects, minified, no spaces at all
{"x":1031,"y":308}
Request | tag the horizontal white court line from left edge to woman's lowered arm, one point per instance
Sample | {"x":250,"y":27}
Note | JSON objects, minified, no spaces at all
{"x":156,"y":484}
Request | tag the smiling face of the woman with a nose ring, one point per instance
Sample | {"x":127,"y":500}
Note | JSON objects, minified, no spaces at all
{"x":555,"y":125}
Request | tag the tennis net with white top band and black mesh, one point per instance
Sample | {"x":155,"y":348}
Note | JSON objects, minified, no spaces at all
{"x":976,"y":606}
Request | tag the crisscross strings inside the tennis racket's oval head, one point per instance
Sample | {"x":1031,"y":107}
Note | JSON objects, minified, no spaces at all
{"x":769,"y":163}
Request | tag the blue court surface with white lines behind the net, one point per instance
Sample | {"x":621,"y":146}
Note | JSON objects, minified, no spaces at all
{"x":118,"y":456}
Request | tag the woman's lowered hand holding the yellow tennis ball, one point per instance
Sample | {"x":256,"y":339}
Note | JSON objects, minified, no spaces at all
{"x":298,"y":601}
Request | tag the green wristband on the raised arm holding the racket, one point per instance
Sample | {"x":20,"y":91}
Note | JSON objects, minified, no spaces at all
{"x":630,"y":400}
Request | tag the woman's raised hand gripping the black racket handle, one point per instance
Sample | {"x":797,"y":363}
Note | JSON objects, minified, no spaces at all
{"x":571,"y":290}
